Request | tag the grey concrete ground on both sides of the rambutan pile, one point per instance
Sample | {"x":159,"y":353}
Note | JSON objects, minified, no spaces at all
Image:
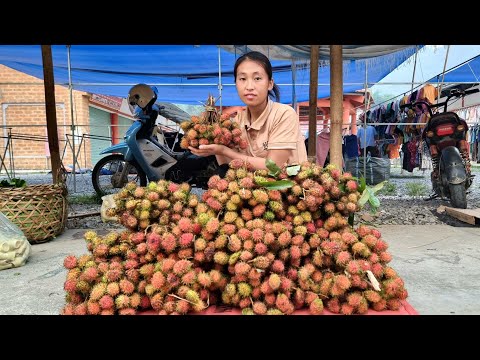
{"x":439,"y":264}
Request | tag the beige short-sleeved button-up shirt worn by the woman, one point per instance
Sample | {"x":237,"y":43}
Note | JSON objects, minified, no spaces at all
{"x":276,"y":128}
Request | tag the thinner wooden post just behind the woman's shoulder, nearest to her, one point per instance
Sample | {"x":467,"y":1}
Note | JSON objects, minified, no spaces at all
{"x":312,"y":108}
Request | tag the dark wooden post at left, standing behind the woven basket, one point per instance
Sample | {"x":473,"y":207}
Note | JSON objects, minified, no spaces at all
{"x":50,"y":110}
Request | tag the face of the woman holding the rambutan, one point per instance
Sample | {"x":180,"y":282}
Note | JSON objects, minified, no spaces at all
{"x":252,"y":83}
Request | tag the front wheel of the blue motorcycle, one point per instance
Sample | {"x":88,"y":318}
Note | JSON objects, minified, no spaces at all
{"x":106,"y":175}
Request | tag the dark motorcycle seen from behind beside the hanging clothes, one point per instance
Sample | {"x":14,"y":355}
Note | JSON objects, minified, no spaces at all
{"x":446,"y":137}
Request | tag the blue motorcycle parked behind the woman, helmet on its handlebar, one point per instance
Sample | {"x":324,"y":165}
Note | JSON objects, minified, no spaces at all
{"x":146,"y":156}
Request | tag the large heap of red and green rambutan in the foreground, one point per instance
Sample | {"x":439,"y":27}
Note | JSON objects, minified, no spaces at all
{"x":268,"y":244}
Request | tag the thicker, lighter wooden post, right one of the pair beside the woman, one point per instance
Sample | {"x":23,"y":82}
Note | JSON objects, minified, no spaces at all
{"x":336,"y":99}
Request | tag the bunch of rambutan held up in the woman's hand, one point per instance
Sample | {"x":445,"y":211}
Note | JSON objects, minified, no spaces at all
{"x":212,"y":128}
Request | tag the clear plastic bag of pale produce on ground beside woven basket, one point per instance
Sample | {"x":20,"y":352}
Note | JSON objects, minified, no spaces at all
{"x":14,"y":246}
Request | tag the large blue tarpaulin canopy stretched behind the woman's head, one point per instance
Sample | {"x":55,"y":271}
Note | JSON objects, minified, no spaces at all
{"x":187,"y":74}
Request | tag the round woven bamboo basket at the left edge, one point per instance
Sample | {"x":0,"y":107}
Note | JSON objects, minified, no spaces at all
{"x":40,"y":211}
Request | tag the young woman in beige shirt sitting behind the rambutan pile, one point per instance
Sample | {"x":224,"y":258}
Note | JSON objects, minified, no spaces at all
{"x":272,"y":129}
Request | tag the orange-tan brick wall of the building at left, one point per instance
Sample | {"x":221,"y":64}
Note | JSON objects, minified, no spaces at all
{"x":22,"y":103}
